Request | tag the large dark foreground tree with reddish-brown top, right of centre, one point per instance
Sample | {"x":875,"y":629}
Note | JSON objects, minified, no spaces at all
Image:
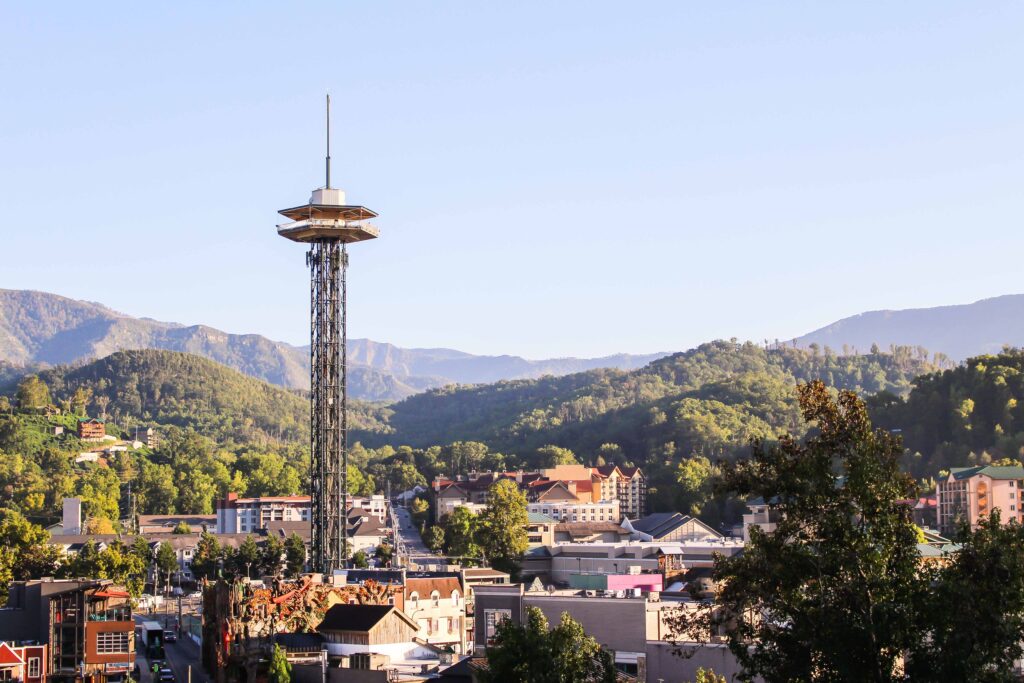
{"x":839,"y":576}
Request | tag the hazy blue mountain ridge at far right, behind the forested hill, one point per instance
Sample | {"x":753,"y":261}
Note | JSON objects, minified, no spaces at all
{"x":959,"y":331}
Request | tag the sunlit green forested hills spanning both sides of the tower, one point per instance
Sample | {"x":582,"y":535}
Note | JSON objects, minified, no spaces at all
{"x":224,"y":432}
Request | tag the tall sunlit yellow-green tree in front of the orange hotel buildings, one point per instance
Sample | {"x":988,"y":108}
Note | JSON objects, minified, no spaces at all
{"x":503,"y":527}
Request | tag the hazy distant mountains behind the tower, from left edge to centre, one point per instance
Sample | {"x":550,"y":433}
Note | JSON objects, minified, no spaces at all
{"x":38,"y":329}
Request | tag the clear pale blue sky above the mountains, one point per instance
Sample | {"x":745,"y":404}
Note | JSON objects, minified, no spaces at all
{"x":553,"y":179}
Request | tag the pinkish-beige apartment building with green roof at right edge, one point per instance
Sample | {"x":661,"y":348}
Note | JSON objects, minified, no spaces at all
{"x":969,"y":494}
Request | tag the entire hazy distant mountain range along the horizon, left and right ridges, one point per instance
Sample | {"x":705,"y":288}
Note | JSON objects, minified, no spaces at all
{"x":39,"y":330}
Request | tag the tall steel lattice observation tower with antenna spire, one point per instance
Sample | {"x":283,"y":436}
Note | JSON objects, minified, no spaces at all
{"x":328,"y":225}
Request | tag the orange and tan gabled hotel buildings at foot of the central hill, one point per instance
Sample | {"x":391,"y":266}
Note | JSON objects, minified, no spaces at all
{"x":566,"y":493}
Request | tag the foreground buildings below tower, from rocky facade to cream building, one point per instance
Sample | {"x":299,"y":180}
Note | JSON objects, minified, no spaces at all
{"x":361,"y":625}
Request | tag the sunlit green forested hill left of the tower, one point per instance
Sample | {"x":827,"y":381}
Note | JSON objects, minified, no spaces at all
{"x":220,"y":432}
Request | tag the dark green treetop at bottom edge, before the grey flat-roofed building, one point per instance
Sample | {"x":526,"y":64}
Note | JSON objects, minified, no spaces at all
{"x":533,"y":654}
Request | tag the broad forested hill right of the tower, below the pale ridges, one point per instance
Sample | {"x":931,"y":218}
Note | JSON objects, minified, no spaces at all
{"x":753,"y":386}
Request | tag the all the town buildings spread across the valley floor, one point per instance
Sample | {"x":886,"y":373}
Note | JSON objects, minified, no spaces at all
{"x":620,"y":574}
